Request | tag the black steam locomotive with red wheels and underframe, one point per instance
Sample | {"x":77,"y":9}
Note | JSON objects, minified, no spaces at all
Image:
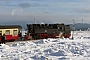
{"x":40,"y":31}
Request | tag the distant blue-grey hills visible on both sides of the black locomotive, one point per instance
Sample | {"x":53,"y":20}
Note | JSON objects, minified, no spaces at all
{"x":78,"y":26}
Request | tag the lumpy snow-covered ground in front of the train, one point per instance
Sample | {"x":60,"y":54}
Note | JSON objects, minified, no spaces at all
{"x":53,"y":49}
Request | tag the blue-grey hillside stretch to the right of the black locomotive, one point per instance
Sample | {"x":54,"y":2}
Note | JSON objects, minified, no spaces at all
{"x":79,"y":26}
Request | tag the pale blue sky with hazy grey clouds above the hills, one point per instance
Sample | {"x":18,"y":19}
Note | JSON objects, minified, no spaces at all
{"x":46,"y":11}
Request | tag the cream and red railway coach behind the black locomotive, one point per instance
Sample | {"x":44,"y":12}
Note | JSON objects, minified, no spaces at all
{"x":10,"y":31}
